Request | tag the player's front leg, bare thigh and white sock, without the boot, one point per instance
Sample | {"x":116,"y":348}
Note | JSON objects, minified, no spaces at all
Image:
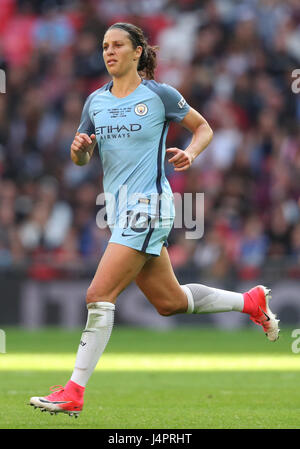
{"x":117,"y":268}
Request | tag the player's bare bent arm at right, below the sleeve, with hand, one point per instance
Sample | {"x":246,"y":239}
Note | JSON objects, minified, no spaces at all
{"x":202,"y":136}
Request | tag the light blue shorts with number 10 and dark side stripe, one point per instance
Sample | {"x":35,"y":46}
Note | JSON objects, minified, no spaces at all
{"x":144,"y":227}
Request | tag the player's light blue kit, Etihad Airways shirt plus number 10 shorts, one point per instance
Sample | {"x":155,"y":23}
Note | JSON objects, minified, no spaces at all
{"x":131,"y":135}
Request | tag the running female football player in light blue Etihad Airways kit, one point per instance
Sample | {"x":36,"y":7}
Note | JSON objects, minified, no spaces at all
{"x":128,"y":118}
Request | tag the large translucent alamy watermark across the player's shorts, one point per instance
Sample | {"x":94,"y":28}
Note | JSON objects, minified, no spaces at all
{"x":138,"y":212}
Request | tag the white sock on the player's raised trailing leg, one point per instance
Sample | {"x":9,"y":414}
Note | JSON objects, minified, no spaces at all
{"x":203,"y":299}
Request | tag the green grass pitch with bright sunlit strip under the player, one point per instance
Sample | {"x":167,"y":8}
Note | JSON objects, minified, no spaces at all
{"x":194,"y":378}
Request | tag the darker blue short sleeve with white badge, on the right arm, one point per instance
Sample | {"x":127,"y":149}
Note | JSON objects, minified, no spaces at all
{"x":176,"y":106}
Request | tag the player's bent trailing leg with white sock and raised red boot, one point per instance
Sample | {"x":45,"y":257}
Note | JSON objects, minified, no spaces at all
{"x":159,"y":284}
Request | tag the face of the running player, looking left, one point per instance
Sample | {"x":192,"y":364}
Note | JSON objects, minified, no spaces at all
{"x":119,"y":55}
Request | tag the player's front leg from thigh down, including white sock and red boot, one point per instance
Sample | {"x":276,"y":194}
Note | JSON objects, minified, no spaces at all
{"x":117,"y":268}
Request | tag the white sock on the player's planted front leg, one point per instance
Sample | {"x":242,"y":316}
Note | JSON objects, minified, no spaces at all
{"x":93,"y":340}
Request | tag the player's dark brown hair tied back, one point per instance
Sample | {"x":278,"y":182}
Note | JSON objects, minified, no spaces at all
{"x":147,"y":62}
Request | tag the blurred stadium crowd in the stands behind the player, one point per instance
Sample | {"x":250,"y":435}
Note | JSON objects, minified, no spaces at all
{"x":233,"y":62}
